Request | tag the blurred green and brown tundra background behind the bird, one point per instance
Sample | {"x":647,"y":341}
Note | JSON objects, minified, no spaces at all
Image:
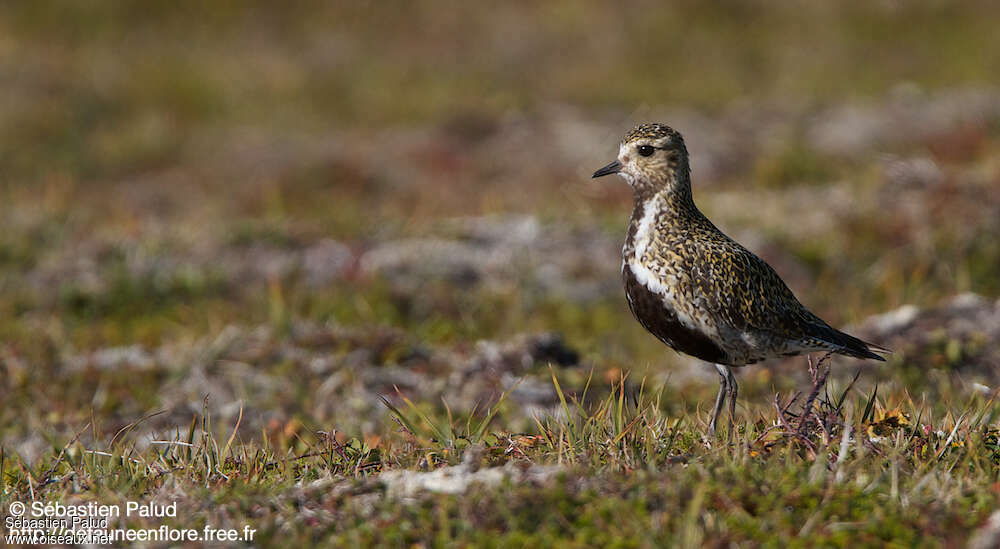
{"x":191,"y":191}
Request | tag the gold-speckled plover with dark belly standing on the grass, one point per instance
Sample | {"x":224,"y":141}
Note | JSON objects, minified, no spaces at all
{"x":699,"y":291}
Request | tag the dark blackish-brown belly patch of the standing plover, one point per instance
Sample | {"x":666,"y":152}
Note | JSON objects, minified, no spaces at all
{"x":662,"y":322}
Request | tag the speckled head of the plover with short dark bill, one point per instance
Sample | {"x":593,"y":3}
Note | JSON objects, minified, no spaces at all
{"x":651,"y":158}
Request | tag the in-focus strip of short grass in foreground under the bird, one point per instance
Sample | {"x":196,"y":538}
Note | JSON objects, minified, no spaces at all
{"x":862,"y":470}
